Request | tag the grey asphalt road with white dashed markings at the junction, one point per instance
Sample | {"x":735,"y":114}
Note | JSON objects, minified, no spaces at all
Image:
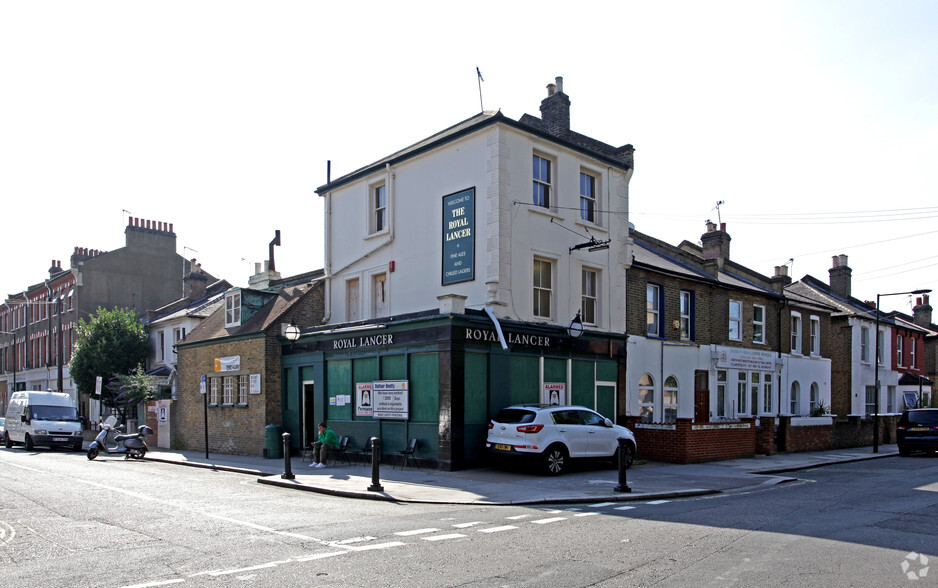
{"x":65,"y":521}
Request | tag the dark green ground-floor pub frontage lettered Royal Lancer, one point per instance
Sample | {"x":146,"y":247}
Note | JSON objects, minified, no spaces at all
{"x":439,"y":378}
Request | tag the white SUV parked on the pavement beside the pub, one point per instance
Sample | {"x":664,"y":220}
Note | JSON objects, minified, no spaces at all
{"x":555,"y":434}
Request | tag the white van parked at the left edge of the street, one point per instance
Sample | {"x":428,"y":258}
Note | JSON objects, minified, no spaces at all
{"x":42,"y":418}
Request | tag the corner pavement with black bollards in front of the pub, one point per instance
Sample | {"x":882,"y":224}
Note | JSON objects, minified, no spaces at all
{"x":587,"y":482}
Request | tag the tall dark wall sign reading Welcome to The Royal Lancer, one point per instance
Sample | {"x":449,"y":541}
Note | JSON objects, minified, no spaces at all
{"x":459,"y":237}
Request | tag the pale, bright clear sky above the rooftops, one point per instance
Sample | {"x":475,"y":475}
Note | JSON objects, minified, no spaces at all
{"x":814,"y":122}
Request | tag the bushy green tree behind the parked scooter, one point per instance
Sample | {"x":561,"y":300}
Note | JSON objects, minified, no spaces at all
{"x":111,"y":343}
